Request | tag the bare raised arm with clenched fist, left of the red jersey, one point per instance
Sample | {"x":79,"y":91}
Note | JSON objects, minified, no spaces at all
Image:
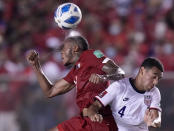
{"x":50,"y":90}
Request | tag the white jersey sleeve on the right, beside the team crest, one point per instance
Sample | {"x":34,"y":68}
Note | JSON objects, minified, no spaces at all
{"x":156,"y":99}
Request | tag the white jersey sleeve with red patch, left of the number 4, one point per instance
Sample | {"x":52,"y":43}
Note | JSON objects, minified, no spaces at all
{"x":107,"y":96}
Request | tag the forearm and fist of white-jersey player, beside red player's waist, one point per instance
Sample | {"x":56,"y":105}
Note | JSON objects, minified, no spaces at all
{"x":92,"y":112}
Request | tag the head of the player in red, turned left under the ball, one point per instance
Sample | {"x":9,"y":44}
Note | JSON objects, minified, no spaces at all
{"x":72,"y":48}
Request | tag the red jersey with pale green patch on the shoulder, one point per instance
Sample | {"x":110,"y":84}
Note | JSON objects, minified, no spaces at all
{"x":90,"y":61}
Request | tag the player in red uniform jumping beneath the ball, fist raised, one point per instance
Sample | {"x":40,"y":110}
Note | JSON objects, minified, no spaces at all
{"x":90,"y":74}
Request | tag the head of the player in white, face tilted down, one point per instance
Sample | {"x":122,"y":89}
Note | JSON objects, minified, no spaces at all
{"x":151,"y":71}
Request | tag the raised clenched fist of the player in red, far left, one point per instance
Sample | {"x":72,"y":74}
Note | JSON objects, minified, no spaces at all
{"x":32,"y":57}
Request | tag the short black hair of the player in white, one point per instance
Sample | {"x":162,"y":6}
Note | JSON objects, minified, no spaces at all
{"x":152,"y":62}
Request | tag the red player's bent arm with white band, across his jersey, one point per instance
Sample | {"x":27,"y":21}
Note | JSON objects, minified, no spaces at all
{"x":113,"y":72}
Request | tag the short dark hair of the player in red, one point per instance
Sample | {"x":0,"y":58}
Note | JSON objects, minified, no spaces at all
{"x":80,"y":41}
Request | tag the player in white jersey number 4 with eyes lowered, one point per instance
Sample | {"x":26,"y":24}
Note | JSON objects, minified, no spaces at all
{"x":135,"y":102}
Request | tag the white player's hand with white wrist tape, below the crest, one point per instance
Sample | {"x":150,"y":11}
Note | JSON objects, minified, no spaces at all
{"x":150,"y":118}
